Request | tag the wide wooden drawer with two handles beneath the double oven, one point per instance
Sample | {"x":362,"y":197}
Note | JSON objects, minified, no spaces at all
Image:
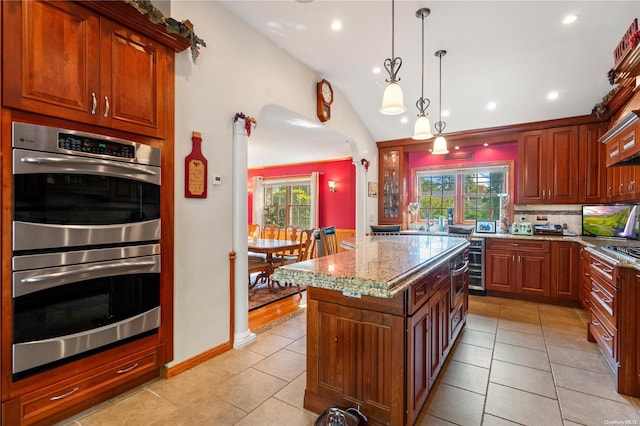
{"x":41,"y":404}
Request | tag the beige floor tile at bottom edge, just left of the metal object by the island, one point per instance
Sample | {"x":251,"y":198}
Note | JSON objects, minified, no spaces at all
{"x":276,"y":413}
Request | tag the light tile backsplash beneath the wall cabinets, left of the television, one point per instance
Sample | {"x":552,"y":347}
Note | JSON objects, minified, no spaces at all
{"x":571,"y":215}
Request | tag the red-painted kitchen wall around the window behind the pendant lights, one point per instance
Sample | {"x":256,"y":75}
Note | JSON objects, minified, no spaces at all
{"x":481,"y":154}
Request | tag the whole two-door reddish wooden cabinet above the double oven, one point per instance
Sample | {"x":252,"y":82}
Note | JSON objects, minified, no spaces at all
{"x":63,"y":60}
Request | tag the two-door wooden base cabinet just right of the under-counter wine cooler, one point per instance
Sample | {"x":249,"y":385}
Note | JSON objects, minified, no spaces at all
{"x":518,"y":266}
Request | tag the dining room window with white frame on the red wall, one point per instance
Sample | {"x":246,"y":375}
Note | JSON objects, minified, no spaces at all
{"x":287,"y":203}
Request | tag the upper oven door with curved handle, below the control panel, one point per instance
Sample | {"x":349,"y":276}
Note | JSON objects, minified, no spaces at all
{"x":65,"y":200}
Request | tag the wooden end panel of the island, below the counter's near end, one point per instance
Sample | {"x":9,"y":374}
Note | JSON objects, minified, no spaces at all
{"x":355,"y":356}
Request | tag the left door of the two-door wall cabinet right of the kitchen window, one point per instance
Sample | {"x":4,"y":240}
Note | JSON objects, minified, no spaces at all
{"x":532,"y":178}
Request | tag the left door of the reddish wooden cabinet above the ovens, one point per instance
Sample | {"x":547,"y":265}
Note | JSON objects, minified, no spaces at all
{"x":50,"y":58}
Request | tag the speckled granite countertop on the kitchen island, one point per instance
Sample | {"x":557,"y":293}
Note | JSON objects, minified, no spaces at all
{"x":380,"y":266}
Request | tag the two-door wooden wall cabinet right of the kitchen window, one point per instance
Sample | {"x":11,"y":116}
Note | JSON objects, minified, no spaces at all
{"x":549,"y":166}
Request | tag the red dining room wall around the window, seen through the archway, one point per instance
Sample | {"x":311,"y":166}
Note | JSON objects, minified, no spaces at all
{"x":335,"y":209}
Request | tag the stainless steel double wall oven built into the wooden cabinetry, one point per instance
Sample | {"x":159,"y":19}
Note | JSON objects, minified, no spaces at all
{"x":86,"y":253}
